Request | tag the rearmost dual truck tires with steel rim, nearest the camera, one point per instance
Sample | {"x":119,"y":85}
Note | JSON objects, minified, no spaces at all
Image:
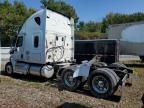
{"x":102,"y":82}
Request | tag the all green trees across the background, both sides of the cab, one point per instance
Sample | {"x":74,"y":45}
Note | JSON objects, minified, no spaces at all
{"x":12,"y":16}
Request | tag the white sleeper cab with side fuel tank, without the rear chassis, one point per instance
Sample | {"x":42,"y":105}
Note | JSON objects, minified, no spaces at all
{"x":46,"y":38}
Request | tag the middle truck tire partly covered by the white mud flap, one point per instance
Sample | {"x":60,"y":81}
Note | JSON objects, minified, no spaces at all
{"x":68,"y":81}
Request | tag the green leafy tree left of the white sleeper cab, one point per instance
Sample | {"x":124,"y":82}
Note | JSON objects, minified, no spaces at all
{"x":11,"y":18}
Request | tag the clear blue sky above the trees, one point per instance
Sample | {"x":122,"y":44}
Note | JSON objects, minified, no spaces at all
{"x":96,"y":10}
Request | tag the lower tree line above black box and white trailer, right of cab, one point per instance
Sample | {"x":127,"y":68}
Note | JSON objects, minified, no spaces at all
{"x":94,"y":30}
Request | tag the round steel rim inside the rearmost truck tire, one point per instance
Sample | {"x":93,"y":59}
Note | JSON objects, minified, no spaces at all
{"x":100,"y":84}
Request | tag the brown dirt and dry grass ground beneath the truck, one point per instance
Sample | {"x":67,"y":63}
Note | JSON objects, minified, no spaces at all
{"x":32,"y":92}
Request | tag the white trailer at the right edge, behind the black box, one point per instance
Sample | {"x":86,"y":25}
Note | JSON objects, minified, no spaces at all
{"x":131,"y":36}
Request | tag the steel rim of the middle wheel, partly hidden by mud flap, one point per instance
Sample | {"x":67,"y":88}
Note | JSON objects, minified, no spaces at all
{"x":69,"y":80}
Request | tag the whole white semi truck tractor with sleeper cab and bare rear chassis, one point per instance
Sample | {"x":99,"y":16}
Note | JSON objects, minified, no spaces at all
{"x":45,"y":47}
